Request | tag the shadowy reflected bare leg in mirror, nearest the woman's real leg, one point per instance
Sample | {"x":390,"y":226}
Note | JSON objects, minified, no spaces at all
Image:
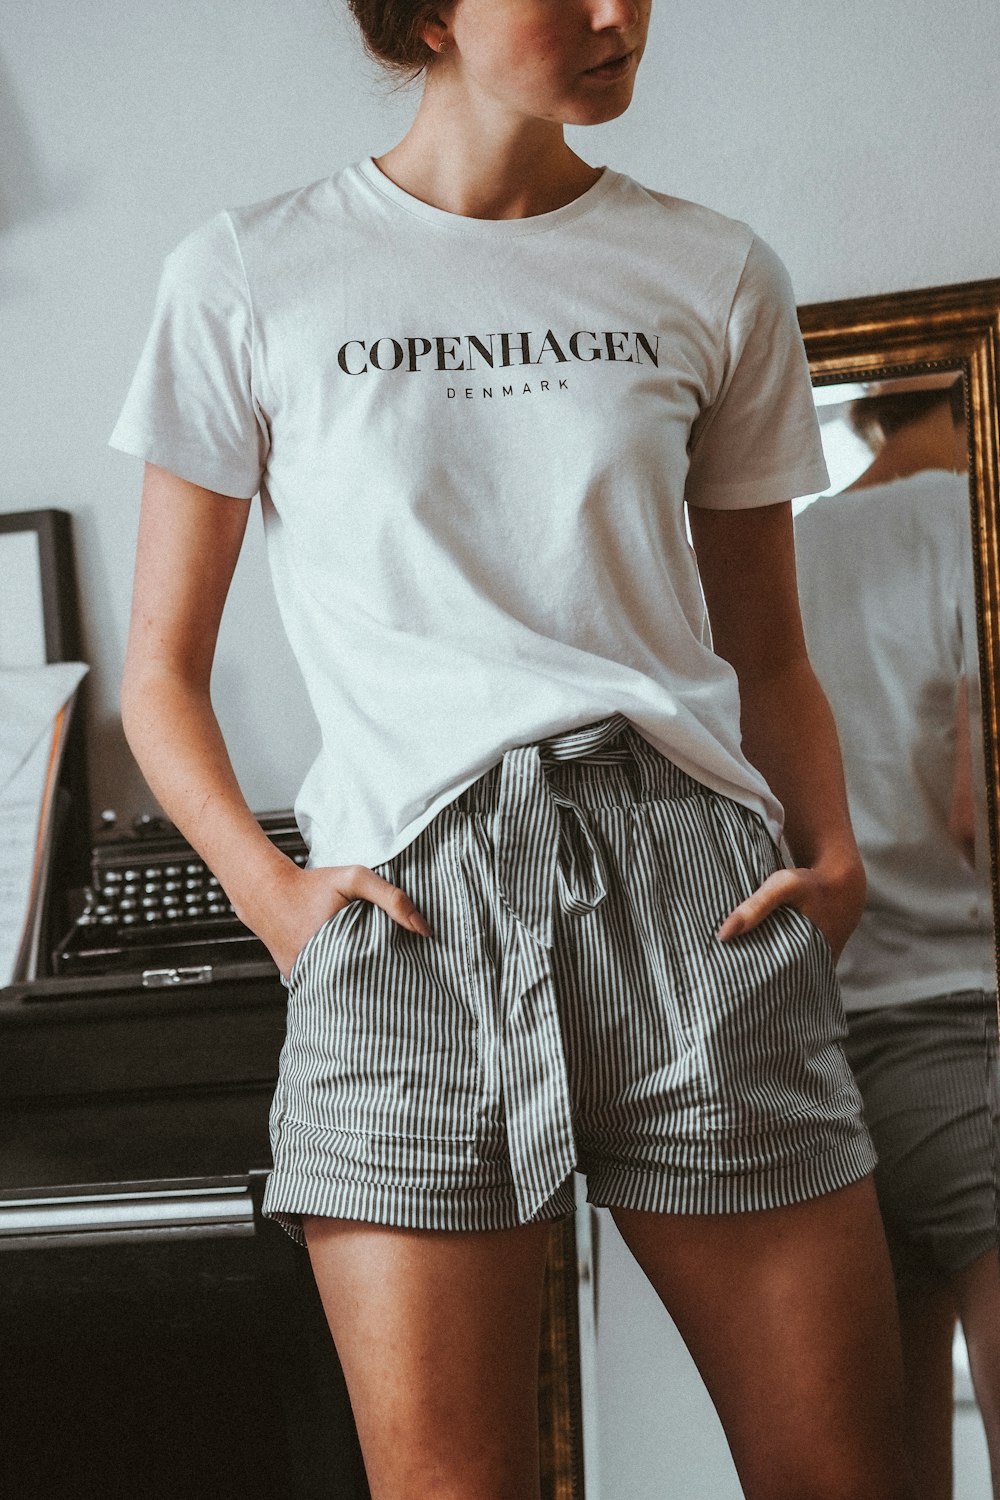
{"x":927,"y":1321}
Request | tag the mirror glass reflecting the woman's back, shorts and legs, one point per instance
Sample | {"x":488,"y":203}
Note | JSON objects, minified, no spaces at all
{"x":887,"y":584}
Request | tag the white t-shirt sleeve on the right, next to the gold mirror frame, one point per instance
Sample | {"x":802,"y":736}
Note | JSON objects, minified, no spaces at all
{"x":759,"y":442}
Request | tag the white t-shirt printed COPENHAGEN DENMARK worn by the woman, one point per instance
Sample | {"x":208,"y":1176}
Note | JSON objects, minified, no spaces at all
{"x":473,"y":443}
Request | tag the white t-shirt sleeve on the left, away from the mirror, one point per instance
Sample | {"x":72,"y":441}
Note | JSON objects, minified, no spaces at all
{"x":191,"y":407}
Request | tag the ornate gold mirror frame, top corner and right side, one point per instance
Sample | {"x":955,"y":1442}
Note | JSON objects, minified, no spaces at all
{"x":917,"y":334}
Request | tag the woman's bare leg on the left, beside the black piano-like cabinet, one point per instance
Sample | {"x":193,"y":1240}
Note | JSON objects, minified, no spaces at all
{"x":439,"y":1337}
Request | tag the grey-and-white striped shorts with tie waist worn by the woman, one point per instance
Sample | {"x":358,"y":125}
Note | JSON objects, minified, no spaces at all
{"x":572,"y":1012}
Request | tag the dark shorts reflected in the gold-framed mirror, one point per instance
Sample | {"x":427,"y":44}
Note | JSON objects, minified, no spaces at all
{"x":929,"y":1078}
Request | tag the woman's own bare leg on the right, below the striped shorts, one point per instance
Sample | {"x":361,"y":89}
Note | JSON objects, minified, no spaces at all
{"x":791,"y":1319}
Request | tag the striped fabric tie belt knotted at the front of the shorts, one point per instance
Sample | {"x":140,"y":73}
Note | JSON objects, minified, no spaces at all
{"x":546,"y":856}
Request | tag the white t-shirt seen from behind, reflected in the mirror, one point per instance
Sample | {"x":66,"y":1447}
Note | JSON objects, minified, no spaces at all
{"x":885,"y":578}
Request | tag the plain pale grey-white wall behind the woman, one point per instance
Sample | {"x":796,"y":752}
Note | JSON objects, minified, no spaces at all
{"x":860,"y":137}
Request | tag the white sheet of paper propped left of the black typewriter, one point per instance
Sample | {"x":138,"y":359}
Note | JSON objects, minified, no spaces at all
{"x":31,"y":701}
